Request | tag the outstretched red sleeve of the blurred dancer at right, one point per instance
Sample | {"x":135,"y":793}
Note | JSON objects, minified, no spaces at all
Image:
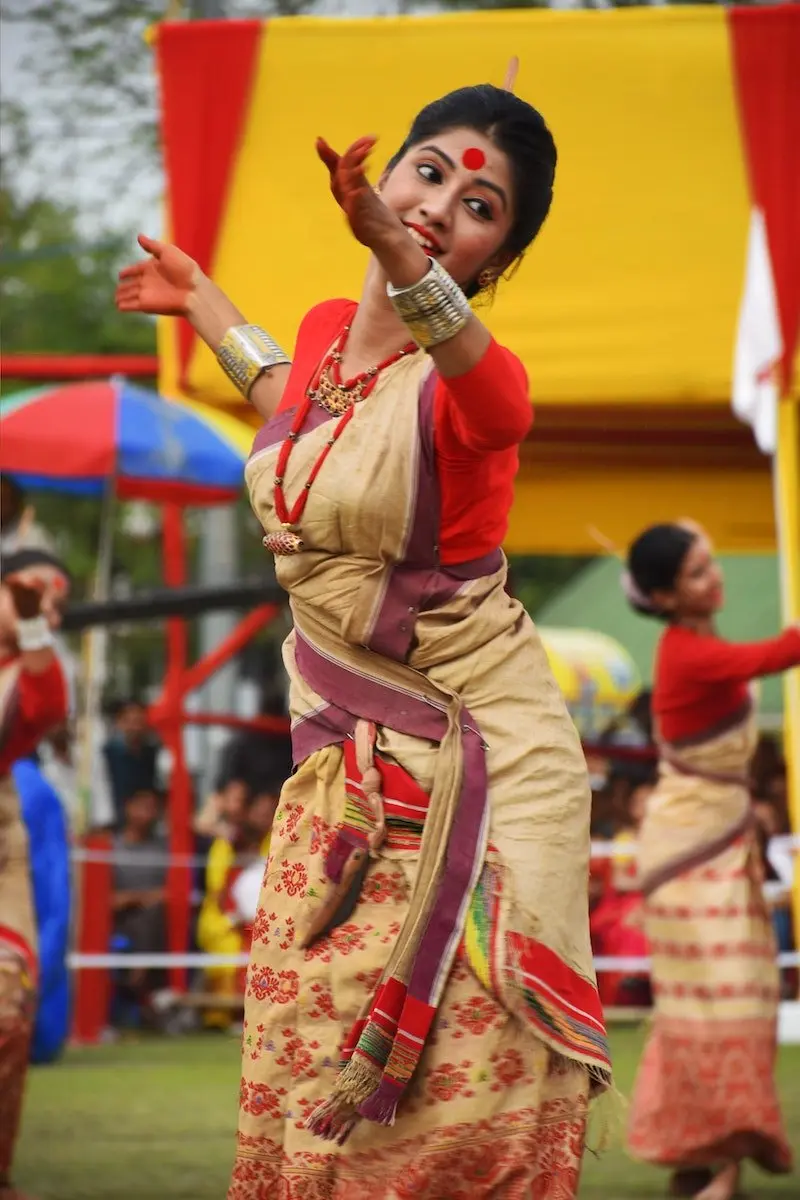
{"x":708,"y":659}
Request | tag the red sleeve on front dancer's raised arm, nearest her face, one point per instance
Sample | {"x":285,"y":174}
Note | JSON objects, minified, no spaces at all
{"x":489,"y":407}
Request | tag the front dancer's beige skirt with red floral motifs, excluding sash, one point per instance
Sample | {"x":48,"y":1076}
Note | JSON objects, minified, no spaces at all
{"x":462,"y":1133}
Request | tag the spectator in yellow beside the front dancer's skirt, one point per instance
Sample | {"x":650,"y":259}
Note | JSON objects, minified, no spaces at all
{"x":225,"y":927}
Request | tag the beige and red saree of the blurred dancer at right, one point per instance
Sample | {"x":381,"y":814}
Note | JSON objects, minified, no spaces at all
{"x":706,"y":1090}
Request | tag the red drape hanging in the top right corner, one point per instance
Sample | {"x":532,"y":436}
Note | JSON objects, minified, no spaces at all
{"x":766,"y":47}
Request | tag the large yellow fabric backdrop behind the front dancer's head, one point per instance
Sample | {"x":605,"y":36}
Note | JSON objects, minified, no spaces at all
{"x":631,"y":292}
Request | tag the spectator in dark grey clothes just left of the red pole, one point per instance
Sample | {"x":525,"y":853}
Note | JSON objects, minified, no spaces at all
{"x":139,"y":899}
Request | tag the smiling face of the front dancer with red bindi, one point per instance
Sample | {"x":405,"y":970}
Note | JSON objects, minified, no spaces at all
{"x":458,"y":205}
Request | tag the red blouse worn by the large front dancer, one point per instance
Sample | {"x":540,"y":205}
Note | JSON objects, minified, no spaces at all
{"x":480,"y":418}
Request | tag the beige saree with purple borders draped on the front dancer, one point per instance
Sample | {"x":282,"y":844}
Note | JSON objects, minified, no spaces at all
{"x":442,"y":1040}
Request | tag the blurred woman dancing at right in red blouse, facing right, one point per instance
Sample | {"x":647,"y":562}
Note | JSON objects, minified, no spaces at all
{"x":706,"y":1095}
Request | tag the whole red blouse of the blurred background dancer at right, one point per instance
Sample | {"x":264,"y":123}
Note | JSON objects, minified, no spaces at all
{"x":701,"y":680}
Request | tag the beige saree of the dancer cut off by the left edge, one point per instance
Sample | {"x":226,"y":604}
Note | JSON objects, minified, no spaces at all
{"x":17,"y":947}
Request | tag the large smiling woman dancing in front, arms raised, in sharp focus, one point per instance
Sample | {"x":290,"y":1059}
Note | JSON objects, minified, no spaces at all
{"x":422,"y":994}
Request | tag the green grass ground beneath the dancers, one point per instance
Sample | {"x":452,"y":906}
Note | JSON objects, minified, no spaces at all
{"x":155,"y":1120}
